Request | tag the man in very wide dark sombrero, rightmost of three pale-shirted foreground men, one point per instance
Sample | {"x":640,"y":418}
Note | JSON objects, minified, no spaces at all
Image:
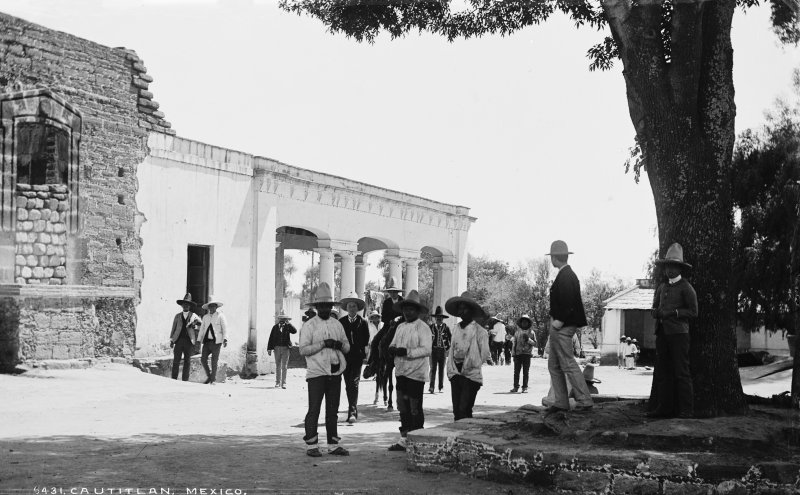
{"x":469,"y":350}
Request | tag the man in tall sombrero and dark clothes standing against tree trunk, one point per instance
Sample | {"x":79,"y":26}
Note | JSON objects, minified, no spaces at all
{"x":674,"y":304}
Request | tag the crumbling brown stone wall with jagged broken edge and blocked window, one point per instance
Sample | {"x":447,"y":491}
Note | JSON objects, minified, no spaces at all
{"x":108,"y":88}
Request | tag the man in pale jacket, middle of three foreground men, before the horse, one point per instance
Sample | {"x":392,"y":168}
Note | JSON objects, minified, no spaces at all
{"x":411,"y":347}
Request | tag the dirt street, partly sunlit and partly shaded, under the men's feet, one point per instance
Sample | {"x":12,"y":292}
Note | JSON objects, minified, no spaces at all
{"x":112,"y":427}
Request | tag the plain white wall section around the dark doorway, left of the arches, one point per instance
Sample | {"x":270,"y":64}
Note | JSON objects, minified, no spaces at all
{"x":184,"y":204}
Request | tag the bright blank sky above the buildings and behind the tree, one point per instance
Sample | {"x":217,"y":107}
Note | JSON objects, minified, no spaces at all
{"x":515,"y":128}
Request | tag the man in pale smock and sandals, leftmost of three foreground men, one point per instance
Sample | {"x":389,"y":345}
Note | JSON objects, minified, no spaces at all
{"x":324,"y":345}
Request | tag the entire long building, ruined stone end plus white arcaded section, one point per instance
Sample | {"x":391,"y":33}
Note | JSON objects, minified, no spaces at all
{"x":106,"y":217}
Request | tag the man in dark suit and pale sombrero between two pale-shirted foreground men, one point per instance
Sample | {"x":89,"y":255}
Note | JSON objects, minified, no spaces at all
{"x":357,"y":331}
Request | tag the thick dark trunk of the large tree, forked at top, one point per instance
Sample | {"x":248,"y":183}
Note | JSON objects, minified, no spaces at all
{"x":681,"y":105}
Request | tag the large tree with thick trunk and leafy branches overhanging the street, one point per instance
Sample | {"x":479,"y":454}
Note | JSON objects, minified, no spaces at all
{"x":677,"y":60}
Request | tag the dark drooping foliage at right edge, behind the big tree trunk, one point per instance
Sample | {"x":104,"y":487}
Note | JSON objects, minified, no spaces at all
{"x":767,"y":195}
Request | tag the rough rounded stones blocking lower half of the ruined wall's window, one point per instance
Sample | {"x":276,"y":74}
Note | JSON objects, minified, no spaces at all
{"x":41,"y":234}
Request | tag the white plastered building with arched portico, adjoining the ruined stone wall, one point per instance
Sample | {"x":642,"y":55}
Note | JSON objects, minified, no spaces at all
{"x":218,"y":221}
